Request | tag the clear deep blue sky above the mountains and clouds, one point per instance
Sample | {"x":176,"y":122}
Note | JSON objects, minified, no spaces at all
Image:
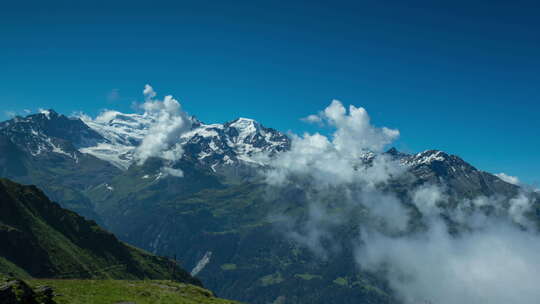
{"x":460,"y":76}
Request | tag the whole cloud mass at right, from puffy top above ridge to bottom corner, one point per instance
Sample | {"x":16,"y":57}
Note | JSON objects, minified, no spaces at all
{"x":431,"y":247}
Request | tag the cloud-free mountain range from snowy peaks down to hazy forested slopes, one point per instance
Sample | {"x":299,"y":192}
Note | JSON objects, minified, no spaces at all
{"x":220,"y":214}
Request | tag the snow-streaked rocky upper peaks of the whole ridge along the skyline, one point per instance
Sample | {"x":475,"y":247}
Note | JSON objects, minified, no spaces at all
{"x":114,"y":137}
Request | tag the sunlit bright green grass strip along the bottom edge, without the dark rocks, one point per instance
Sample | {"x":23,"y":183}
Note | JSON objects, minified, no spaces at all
{"x":115,"y":291}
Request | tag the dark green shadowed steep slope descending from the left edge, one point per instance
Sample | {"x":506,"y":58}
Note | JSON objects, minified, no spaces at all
{"x":41,"y":239}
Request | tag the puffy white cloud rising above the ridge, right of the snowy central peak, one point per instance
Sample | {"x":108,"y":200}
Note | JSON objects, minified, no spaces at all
{"x":339,"y":158}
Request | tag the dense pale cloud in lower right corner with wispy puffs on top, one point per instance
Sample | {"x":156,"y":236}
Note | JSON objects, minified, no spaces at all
{"x":490,"y":260}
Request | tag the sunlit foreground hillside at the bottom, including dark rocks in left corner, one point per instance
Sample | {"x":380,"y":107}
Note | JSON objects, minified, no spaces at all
{"x":74,"y":291}
